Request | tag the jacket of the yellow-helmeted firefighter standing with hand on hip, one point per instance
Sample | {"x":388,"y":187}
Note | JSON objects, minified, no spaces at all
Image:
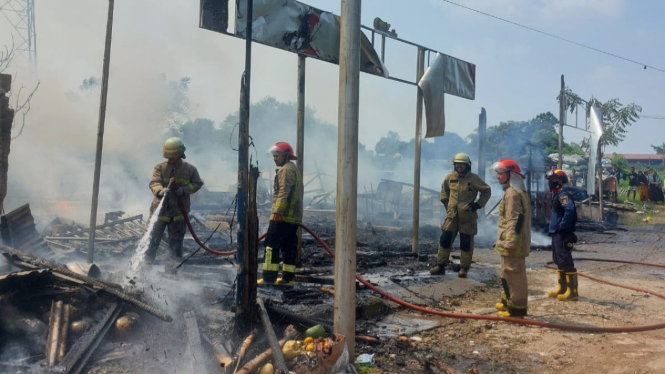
{"x":461,"y":193}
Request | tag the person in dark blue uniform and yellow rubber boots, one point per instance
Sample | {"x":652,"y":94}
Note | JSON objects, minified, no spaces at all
{"x":562,"y":227}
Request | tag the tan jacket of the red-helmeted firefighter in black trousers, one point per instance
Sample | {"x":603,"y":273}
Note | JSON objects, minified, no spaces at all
{"x":286,"y":198}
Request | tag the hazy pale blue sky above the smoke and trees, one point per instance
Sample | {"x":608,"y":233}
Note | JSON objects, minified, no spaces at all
{"x":518,"y":71}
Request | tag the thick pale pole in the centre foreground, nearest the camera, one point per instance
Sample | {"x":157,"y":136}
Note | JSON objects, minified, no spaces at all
{"x":347,"y":173}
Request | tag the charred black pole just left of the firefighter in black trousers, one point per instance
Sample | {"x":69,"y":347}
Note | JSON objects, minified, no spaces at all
{"x":244,"y":305}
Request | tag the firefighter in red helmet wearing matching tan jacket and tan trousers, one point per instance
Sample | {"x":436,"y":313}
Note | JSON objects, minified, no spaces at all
{"x":513,"y":239}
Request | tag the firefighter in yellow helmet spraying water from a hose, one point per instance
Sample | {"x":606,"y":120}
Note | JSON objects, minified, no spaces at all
{"x":184,"y":180}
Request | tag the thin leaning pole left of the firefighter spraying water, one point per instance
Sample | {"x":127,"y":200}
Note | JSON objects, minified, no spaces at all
{"x":100,"y":134}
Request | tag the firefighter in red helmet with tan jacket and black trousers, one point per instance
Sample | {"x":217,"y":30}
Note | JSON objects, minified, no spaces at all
{"x":285,"y":218}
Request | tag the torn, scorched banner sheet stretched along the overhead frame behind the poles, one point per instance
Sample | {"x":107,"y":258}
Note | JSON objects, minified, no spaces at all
{"x":296,"y":27}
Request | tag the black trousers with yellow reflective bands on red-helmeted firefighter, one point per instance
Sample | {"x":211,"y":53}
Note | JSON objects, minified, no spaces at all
{"x":282,"y":238}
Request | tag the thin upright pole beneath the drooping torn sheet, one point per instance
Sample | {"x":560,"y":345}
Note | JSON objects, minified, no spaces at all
{"x":420,"y":70}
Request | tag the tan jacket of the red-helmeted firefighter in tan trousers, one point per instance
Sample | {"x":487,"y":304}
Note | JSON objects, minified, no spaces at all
{"x":514,"y":235}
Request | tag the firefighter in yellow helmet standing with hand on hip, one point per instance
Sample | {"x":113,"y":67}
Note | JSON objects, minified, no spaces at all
{"x":459,"y":195}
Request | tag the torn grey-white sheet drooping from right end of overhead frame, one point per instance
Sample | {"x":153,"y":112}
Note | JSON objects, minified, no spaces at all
{"x":446,"y":75}
